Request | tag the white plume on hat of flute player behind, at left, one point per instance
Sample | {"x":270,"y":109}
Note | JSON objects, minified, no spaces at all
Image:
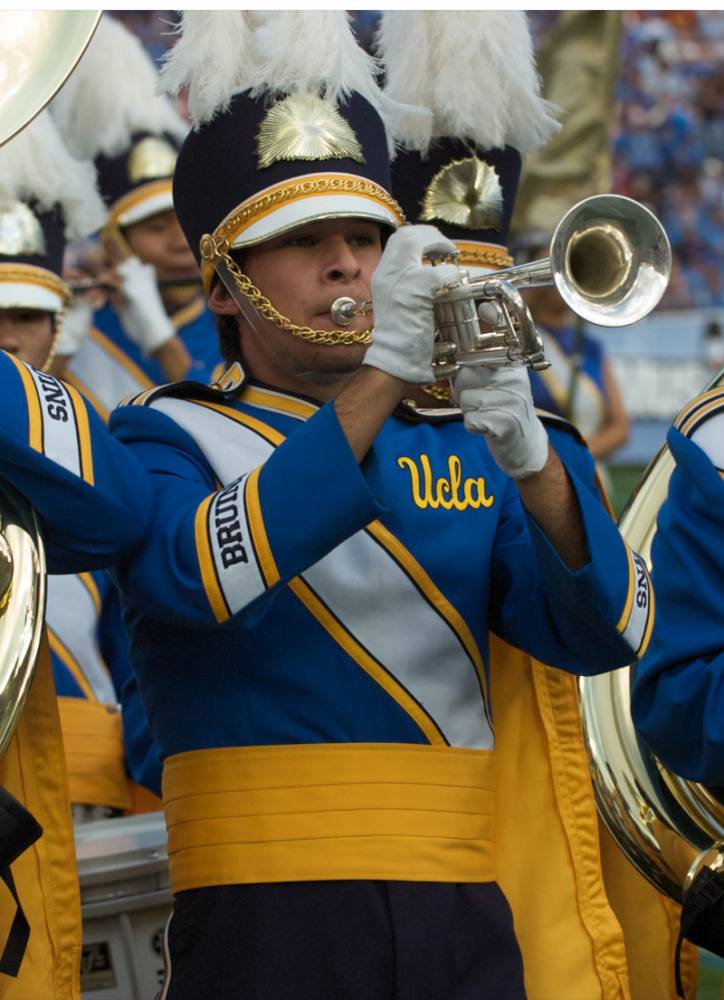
{"x":111,"y":94}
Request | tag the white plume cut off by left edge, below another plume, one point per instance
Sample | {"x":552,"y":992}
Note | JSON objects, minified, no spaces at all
{"x":36,"y":166}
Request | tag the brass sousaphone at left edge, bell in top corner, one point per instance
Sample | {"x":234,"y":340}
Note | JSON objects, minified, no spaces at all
{"x":38,"y":51}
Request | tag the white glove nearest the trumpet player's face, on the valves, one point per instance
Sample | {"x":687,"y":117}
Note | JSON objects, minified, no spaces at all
{"x":402,"y":295}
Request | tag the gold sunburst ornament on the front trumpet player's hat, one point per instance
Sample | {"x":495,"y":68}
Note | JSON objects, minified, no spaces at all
{"x":305,"y":127}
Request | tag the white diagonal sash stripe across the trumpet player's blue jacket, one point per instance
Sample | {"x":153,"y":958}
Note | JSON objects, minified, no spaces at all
{"x":413,"y":642}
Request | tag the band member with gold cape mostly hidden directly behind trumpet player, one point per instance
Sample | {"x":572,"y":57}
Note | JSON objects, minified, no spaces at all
{"x":463,"y":178}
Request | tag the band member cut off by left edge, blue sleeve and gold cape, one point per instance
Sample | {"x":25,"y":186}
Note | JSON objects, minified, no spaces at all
{"x":92,"y":498}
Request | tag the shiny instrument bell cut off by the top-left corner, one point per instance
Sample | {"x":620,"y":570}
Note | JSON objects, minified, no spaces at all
{"x":39,"y":49}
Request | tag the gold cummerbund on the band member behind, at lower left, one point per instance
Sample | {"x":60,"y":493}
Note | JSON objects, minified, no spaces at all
{"x":94,"y":757}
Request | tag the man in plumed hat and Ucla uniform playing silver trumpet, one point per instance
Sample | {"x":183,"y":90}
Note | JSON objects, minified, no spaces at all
{"x":309,"y":613}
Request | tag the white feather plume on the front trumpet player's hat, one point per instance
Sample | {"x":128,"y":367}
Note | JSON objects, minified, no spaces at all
{"x":221,"y":53}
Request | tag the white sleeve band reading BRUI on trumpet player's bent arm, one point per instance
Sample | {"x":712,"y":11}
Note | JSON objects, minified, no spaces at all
{"x":237,"y":569}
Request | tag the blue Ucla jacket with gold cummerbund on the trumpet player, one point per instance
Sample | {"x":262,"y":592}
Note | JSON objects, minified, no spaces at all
{"x":310,"y":635}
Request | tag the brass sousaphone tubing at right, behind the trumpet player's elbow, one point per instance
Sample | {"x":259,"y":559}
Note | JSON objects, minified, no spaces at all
{"x":667,"y":827}
